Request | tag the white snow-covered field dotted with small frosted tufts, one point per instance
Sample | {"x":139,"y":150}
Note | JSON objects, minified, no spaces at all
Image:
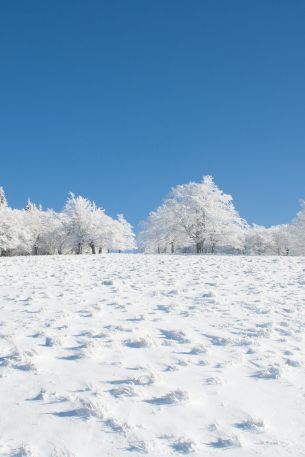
{"x":124,"y":355}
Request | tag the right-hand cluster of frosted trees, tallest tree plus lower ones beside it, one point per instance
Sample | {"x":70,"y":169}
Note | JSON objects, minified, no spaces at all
{"x":201,"y":218}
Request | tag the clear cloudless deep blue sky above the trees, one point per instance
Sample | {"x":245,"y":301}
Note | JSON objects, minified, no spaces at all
{"x":119,"y":100}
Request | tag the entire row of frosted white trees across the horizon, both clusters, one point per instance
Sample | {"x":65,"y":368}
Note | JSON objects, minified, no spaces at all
{"x":194,"y":218}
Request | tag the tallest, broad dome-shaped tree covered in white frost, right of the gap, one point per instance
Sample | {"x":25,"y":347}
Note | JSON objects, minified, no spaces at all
{"x":194,"y":214}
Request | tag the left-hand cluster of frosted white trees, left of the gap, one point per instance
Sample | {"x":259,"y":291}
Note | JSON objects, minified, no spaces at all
{"x":80,"y":228}
